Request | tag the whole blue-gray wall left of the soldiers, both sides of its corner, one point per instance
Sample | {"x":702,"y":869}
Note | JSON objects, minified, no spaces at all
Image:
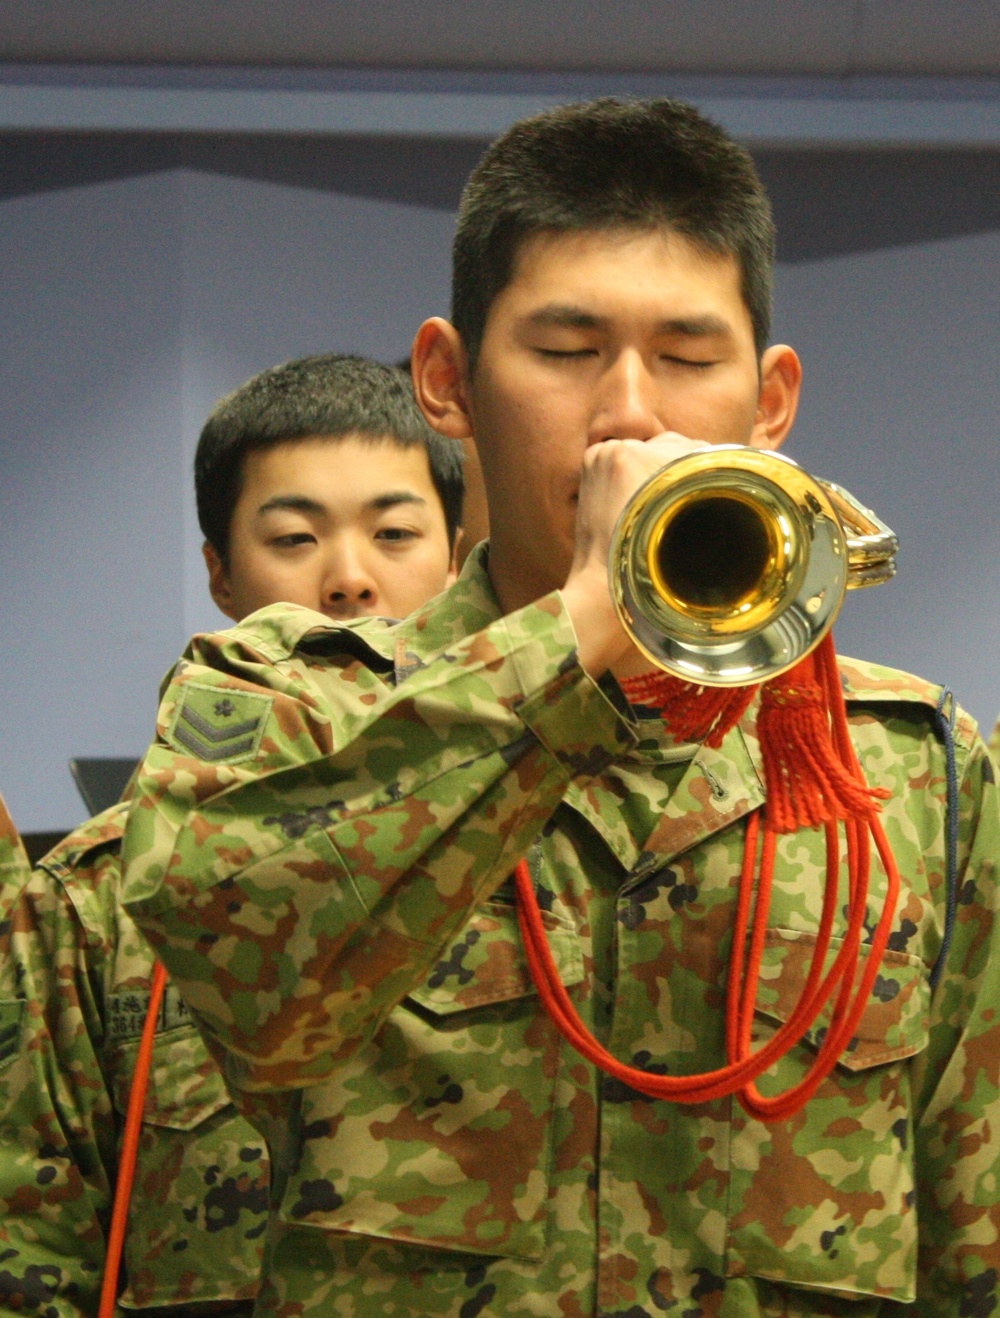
{"x":130,"y":310}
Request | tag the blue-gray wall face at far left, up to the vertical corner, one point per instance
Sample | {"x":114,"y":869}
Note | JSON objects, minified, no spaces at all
{"x":92,"y":488}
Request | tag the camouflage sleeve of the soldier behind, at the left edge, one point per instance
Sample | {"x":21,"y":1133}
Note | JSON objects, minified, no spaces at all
{"x":57,"y":1128}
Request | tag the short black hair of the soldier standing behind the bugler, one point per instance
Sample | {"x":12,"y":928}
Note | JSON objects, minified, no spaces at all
{"x":329,"y":396}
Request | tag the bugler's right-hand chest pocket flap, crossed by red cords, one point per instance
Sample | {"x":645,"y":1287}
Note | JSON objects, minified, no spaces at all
{"x":895,"y":1021}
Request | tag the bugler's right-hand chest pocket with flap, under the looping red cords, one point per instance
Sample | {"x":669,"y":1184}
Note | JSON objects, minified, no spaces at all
{"x":827,"y":1200}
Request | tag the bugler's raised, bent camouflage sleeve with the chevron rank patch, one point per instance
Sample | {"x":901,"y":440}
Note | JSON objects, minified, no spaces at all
{"x":298,"y":889}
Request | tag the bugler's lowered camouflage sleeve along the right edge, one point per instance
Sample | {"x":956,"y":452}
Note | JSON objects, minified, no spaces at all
{"x":957,"y":1077}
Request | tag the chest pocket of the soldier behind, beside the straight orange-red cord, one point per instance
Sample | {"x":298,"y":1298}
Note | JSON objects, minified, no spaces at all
{"x":200,"y":1204}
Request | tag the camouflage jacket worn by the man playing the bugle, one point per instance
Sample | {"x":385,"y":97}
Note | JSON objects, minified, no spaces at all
{"x":321,"y":848}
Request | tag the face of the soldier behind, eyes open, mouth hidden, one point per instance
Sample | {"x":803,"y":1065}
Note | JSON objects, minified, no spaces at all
{"x":350,"y":528}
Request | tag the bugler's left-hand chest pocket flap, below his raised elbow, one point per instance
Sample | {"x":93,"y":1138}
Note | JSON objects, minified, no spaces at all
{"x":487,"y":963}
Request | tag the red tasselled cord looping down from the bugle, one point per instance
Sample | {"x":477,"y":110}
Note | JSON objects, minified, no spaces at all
{"x":814,"y":778}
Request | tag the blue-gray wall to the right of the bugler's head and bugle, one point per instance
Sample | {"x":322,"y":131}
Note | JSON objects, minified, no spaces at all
{"x":902,"y":400}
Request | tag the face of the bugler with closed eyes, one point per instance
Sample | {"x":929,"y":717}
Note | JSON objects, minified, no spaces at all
{"x":601,"y":335}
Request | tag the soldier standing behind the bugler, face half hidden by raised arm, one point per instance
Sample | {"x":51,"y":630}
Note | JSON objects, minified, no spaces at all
{"x":318,"y":483}
